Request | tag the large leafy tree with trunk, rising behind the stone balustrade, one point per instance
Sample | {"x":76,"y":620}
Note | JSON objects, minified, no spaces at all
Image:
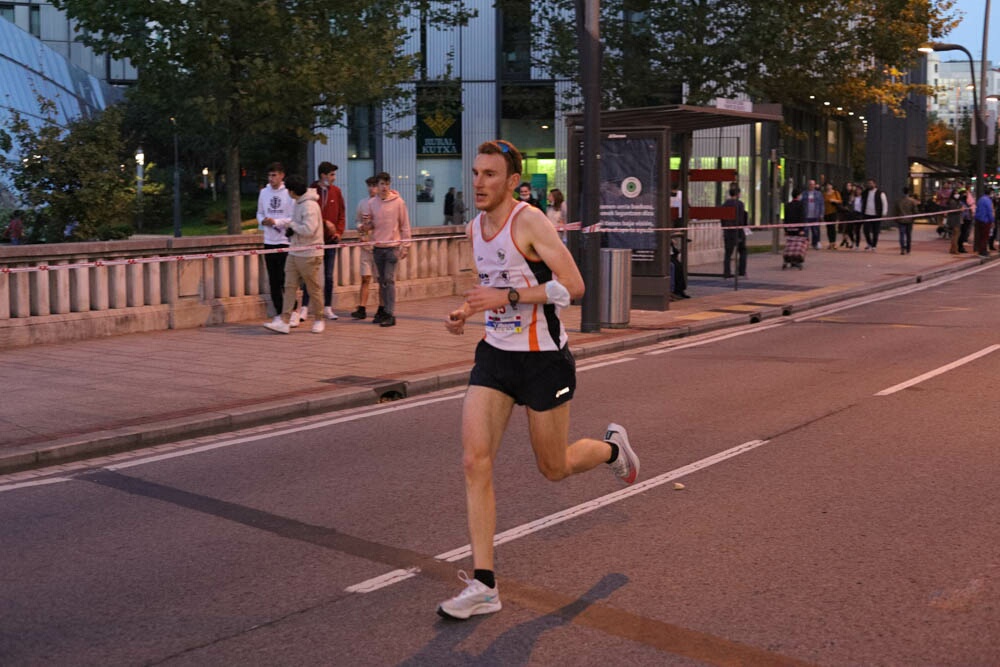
{"x":232,"y":69}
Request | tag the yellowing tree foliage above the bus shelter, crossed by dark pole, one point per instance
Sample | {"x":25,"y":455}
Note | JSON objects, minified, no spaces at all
{"x":848,"y":52}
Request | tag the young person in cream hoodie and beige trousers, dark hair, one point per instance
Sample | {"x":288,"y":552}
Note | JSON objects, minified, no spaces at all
{"x":305,"y":256}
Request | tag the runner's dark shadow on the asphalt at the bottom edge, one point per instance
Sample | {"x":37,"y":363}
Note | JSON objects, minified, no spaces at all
{"x":514,"y":646}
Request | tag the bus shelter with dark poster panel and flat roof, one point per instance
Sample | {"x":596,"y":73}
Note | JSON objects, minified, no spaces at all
{"x":636,"y":181}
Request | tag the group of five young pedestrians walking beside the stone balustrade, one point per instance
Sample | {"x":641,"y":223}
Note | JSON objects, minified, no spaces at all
{"x":305,"y":224}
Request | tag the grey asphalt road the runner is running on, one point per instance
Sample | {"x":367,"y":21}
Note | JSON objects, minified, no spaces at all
{"x":839,"y":507}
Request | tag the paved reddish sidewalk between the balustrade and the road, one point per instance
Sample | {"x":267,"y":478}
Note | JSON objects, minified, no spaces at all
{"x":78,"y":399}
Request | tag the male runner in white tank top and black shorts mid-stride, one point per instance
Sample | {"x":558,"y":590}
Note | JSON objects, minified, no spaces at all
{"x":526,"y":275}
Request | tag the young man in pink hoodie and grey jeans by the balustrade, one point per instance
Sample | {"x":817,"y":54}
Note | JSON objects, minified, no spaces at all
{"x":391,"y":233}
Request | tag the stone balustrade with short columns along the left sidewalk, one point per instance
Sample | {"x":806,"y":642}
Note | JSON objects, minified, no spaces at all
{"x":60,"y":304}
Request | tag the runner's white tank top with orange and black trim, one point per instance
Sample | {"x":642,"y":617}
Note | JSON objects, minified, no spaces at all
{"x":531,"y":327}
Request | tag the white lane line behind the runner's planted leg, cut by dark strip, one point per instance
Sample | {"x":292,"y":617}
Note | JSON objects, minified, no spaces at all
{"x":518,"y":532}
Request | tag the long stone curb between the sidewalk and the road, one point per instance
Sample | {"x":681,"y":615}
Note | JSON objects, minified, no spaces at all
{"x":99,"y":443}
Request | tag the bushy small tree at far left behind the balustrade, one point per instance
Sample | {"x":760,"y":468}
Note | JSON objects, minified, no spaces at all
{"x":73,"y":179}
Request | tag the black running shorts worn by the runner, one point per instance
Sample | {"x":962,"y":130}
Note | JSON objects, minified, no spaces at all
{"x":539,"y":380}
